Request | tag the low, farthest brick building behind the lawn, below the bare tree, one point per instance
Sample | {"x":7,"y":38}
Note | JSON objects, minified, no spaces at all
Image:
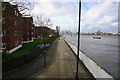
{"x":40,"y":31}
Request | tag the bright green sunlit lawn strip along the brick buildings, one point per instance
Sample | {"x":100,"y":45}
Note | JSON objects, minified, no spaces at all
{"x":27,"y":48}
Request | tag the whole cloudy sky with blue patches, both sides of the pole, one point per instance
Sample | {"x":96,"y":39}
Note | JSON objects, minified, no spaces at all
{"x":95,"y":14}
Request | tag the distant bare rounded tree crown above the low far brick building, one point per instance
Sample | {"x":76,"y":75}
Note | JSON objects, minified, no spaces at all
{"x":43,"y":21}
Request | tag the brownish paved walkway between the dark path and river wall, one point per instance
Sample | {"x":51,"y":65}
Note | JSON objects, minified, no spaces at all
{"x":63,"y":64}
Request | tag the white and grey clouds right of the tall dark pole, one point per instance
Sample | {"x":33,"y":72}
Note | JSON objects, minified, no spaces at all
{"x":102,"y":16}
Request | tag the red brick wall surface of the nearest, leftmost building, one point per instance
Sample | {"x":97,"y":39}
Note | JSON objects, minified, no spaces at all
{"x":13,"y":31}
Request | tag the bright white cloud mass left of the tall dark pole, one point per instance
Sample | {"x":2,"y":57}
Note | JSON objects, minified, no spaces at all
{"x":62,"y":14}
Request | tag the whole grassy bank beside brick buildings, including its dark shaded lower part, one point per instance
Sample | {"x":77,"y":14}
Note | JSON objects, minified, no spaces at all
{"x":27,"y":52}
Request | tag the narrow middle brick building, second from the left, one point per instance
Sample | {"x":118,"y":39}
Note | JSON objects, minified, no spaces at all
{"x":28,"y":29}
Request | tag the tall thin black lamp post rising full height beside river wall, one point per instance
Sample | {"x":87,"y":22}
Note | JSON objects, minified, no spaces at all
{"x":77,"y":76}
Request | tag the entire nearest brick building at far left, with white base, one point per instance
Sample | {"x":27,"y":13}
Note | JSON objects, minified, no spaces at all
{"x":11,"y":34}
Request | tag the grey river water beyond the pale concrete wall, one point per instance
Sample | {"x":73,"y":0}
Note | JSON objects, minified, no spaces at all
{"x":103,"y":51}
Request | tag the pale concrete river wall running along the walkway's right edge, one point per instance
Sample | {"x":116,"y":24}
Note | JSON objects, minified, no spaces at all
{"x":92,"y":66}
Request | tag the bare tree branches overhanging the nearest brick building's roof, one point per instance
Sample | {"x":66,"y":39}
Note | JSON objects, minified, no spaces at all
{"x":25,"y":7}
